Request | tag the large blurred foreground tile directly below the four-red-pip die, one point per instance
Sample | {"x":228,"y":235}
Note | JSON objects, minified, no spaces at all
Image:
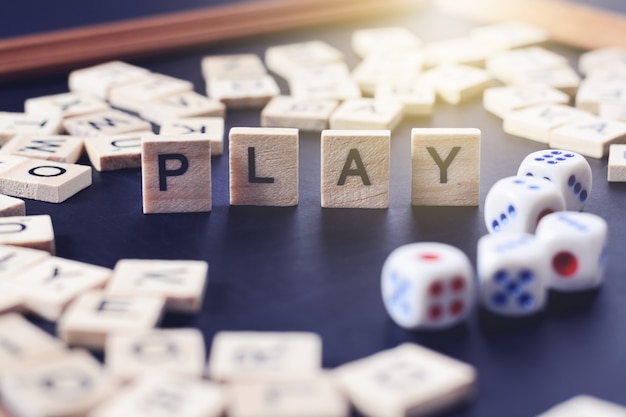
{"x":406,"y":380}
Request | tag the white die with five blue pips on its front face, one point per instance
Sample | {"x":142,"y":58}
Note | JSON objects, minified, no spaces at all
{"x":513,"y":271}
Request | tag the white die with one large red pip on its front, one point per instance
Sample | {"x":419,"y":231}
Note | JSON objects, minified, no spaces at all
{"x":576,"y":244}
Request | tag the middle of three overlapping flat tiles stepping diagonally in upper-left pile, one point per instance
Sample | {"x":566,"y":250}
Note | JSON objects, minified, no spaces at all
{"x":133,"y":96}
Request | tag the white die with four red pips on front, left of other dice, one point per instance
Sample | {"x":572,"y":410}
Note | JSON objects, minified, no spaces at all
{"x":427,"y":285}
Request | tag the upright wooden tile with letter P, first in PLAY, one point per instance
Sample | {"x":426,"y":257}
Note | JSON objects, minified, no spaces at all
{"x":176,"y":173}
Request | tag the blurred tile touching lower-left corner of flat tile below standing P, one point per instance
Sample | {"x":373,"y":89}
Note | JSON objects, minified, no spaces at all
{"x":94,"y":315}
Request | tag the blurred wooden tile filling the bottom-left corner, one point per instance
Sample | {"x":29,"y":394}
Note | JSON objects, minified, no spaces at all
{"x":69,"y":386}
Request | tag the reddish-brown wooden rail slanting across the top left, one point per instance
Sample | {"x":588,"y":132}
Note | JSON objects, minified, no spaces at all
{"x":64,"y":50}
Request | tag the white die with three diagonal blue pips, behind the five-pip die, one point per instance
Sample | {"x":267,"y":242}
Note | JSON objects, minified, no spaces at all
{"x":516,"y":204}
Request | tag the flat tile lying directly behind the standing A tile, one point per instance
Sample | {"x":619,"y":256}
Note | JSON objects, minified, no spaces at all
{"x":366,"y":113}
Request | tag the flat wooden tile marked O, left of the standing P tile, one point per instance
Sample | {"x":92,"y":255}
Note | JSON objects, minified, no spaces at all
{"x":49,"y":181}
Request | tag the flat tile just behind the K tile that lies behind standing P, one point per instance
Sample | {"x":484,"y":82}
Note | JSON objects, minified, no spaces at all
{"x":182,"y":105}
